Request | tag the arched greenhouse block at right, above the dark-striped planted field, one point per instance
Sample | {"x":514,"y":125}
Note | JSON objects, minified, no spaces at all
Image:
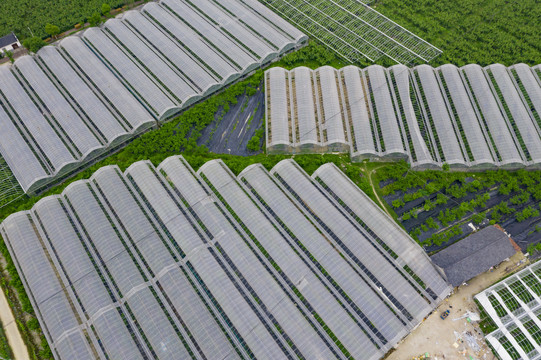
{"x":469,"y":117}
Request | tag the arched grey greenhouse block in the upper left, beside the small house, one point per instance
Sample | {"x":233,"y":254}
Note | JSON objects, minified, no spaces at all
{"x":94,"y":91}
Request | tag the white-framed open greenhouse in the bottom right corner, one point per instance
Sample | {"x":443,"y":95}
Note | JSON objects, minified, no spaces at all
{"x":513,"y":305}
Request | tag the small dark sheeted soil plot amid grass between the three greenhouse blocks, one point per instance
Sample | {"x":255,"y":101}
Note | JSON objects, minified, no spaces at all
{"x":229,"y":133}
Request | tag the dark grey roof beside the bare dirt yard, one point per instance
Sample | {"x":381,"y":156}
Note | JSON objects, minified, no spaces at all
{"x":474,"y":255}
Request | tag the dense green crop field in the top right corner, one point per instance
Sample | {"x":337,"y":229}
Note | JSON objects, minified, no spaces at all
{"x":472,"y":31}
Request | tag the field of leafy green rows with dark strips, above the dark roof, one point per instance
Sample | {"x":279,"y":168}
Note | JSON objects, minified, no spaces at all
{"x":436,"y":207}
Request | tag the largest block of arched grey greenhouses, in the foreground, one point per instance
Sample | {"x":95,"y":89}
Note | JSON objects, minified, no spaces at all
{"x":165,"y":262}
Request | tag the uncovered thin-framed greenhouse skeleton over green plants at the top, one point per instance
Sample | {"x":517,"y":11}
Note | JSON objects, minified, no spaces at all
{"x":354,"y":30}
